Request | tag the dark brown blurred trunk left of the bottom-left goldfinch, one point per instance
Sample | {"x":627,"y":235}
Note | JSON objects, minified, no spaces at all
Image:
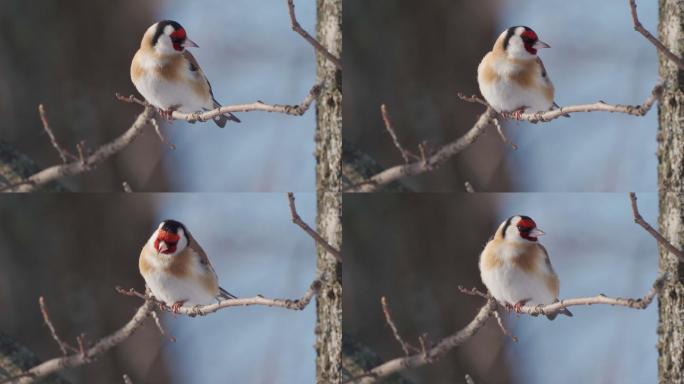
{"x":73,"y":249}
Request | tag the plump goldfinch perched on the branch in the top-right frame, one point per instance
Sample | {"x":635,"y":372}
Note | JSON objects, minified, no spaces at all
{"x":512,"y":78}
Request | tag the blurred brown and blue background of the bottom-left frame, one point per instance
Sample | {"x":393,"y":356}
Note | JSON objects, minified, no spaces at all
{"x":74,"y":249}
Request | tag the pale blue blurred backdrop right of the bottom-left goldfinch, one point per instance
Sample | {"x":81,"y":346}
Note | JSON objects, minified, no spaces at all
{"x":255,"y":249}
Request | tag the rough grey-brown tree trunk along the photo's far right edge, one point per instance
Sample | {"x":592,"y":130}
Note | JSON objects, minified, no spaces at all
{"x":670,"y":176}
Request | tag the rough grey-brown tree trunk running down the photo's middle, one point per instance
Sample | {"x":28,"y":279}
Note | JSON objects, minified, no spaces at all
{"x":328,"y":187}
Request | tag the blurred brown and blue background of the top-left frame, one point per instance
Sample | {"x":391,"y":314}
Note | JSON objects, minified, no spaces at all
{"x":74,"y":57}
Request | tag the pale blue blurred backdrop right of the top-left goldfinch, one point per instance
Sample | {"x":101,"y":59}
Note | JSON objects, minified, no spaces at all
{"x":249,"y":52}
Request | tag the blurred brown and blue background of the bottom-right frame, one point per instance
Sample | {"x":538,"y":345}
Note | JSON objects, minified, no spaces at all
{"x":416,"y":249}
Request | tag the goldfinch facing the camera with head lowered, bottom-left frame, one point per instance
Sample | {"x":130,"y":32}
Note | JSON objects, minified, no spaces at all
{"x":177,"y":270}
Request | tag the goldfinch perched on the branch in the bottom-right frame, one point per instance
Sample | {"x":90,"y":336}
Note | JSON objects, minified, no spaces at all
{"x":516,"y":269}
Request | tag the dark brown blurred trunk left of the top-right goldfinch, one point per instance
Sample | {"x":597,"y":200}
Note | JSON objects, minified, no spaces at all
{"x":416,"y":59}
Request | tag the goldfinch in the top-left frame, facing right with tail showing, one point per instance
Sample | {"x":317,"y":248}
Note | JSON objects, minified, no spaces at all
{"x":169,"y":77}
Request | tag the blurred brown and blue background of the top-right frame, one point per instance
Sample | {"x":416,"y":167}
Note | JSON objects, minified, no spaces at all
{"x":416,"y":57}
